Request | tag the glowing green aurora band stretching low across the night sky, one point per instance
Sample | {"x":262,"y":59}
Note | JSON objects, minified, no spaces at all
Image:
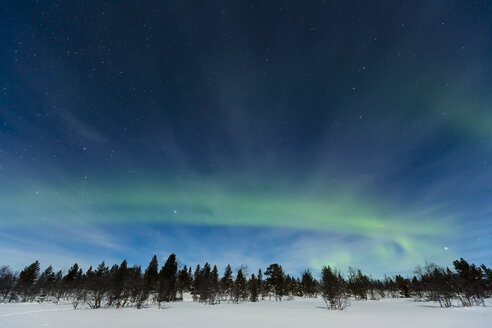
{"x":394,"y":234}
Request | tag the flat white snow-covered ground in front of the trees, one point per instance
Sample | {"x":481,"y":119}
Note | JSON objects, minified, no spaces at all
{"x":297,"y":313}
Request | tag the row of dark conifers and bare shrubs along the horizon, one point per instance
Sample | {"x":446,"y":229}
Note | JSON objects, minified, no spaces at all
{"x":123,"y":286}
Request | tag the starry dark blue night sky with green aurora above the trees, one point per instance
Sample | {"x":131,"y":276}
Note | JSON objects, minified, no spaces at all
{"x":350,"y":133}
